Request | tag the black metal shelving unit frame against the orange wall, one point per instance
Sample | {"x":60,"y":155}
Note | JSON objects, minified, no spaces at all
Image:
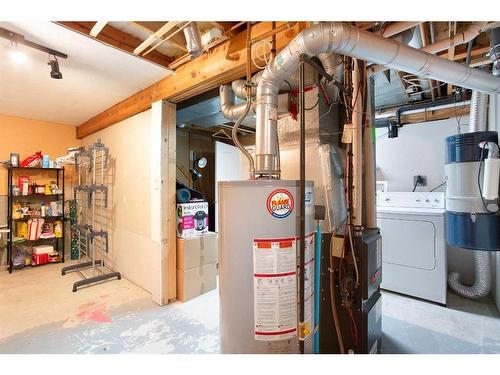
{"x":59,"y":245}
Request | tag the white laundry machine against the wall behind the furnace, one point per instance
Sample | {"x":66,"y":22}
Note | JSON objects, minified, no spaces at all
{"x":412,"y":226}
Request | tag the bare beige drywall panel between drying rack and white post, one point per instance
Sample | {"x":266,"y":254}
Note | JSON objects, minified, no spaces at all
{"x":129,"y":216}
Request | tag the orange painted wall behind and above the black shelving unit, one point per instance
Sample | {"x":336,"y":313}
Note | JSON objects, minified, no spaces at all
{"x":26,"y":136}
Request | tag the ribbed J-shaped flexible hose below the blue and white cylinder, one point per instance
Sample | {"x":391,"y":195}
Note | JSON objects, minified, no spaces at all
{"x":482,"y":284}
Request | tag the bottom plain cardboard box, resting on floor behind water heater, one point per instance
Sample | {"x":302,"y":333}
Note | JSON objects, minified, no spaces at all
{"x":195,"y":281}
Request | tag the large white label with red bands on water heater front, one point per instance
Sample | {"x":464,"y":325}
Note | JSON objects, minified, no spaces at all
{"x":275,"y":308}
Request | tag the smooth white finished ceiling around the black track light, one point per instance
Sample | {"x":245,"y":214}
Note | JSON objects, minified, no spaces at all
{"x":95,"y":76}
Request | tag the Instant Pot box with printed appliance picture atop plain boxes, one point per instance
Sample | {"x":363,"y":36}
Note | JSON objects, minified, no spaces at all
{"x":192,"y":219}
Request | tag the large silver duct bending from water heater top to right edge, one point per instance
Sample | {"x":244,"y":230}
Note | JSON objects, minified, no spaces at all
{"x":348,"y":40}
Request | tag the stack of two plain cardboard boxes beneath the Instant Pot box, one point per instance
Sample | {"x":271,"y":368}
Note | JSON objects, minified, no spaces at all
{"x":196,"y":265}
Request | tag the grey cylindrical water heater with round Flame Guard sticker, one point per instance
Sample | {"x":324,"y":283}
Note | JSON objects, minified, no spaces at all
{"x":258,"y":286}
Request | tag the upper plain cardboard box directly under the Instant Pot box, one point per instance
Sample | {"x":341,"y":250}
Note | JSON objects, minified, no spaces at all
{"x":197,"y":251}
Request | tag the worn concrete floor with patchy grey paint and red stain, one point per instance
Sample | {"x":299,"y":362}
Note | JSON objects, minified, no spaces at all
{"x":40,"y":314}
